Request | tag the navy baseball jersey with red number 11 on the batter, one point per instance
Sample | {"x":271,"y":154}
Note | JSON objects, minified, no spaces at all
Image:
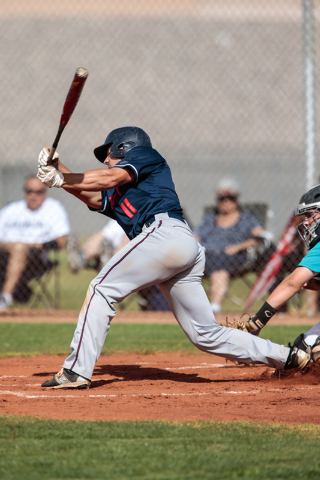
{"x":152,"y":192}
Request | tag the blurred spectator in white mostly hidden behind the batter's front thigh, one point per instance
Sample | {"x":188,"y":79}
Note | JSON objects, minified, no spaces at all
{"x":98,"y":249}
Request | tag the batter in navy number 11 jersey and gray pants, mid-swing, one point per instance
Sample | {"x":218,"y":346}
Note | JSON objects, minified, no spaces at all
{"x":137,"y":190}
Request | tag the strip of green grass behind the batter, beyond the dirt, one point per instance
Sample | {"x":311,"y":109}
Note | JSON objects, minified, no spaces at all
{"x":27,"y":338}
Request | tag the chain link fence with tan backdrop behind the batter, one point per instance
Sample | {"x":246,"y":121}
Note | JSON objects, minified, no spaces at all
{"x":224,"y":88}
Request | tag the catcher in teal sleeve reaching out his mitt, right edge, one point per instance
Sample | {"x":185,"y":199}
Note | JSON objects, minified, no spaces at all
{"x":305,"y":276}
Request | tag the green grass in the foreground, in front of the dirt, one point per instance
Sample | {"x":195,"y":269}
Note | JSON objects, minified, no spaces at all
{"x":48,"y":449}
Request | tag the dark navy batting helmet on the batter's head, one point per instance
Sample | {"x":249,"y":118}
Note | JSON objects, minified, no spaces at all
{"x":121,"y":141}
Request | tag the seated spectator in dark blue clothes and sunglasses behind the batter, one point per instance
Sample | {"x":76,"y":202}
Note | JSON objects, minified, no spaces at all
{"x":226,"y":233}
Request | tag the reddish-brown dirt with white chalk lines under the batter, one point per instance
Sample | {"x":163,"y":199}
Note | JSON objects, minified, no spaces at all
{"x":162,"y":386}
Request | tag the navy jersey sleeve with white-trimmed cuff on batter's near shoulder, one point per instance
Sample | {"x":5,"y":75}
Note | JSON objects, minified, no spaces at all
{"x":142,"y":161}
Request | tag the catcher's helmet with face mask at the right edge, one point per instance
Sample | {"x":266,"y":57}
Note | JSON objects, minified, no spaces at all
{"x":309,"y":204}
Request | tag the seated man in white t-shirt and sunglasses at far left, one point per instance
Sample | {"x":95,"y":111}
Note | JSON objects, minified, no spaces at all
{"x":29,"y":228}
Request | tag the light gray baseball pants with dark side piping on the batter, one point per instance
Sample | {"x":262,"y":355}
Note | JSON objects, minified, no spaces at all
{"x":166,"y":253}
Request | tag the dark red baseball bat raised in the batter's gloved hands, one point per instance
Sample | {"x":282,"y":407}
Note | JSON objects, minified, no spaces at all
{"x":69,"y":105}
